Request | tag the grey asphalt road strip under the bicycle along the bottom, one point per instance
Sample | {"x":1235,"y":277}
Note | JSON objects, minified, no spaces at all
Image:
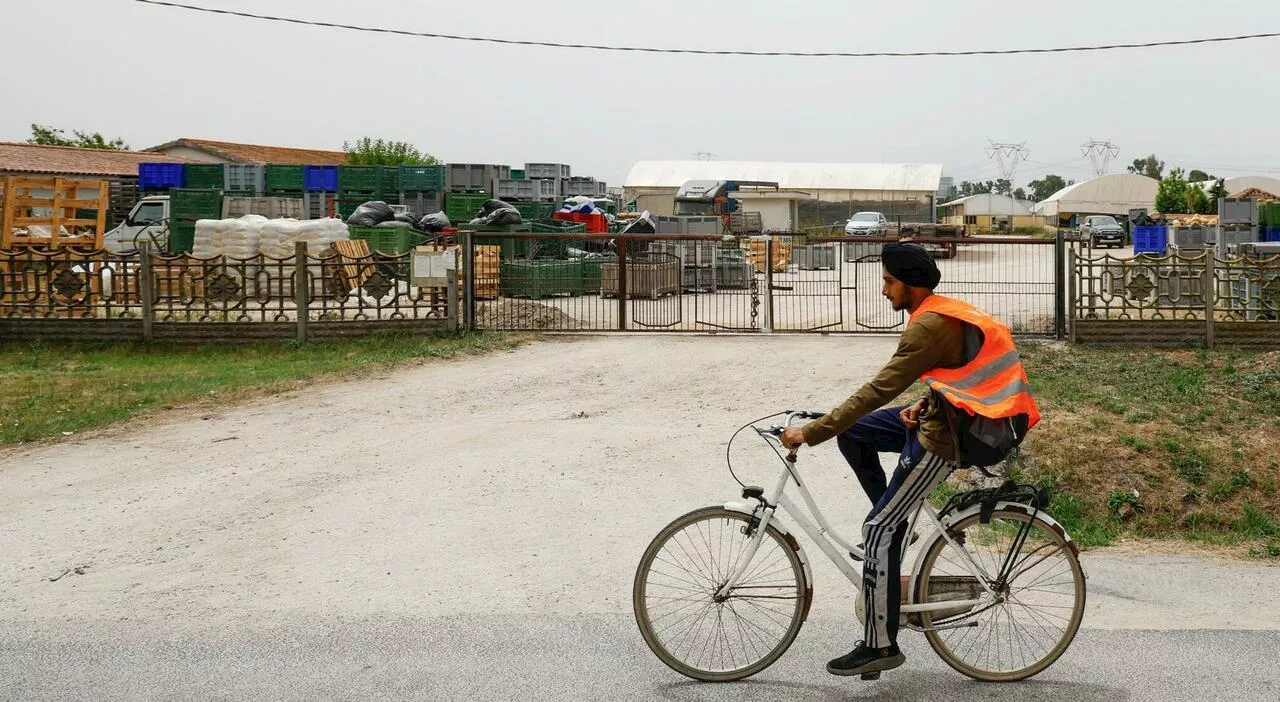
{"x":534,"y":657}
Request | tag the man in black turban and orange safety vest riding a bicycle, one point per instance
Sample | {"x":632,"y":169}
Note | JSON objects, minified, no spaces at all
{"x":979,"y":405}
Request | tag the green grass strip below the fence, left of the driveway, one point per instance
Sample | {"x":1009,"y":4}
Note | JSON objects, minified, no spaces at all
{"x":48,"y":391}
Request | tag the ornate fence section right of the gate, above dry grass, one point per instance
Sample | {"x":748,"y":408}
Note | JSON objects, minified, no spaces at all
{"x":1177,"y":300}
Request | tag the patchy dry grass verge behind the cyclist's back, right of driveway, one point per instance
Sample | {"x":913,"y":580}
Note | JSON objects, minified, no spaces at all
{"x":1155,"y":445}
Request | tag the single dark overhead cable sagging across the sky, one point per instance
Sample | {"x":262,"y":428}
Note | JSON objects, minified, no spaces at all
{"x":708,"y":52}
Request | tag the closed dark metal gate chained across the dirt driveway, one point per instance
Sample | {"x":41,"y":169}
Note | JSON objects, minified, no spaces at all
{"x":775,"y":284}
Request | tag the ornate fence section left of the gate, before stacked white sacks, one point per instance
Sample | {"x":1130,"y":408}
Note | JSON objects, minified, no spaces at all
{"x":100,"y":295}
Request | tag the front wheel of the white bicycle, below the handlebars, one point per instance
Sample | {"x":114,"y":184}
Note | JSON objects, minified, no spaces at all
{"x":710,"y":639}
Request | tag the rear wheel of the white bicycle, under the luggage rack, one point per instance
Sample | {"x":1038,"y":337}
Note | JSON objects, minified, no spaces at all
{"x":1040,"y":604}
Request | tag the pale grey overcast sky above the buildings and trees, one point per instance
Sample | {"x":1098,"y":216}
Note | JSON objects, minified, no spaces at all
{"x":152,"y":75}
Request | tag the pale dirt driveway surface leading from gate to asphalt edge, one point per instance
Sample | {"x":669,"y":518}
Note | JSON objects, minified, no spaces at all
{"x":525,"y":481}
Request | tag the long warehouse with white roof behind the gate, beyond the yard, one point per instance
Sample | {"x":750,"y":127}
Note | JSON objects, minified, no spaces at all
{"x":808,"y":194}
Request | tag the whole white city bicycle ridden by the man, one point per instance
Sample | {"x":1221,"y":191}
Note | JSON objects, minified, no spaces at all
{"x":998,"y":587}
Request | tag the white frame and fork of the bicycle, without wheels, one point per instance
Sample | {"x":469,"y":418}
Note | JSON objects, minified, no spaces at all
{"x":824,"y":535}
